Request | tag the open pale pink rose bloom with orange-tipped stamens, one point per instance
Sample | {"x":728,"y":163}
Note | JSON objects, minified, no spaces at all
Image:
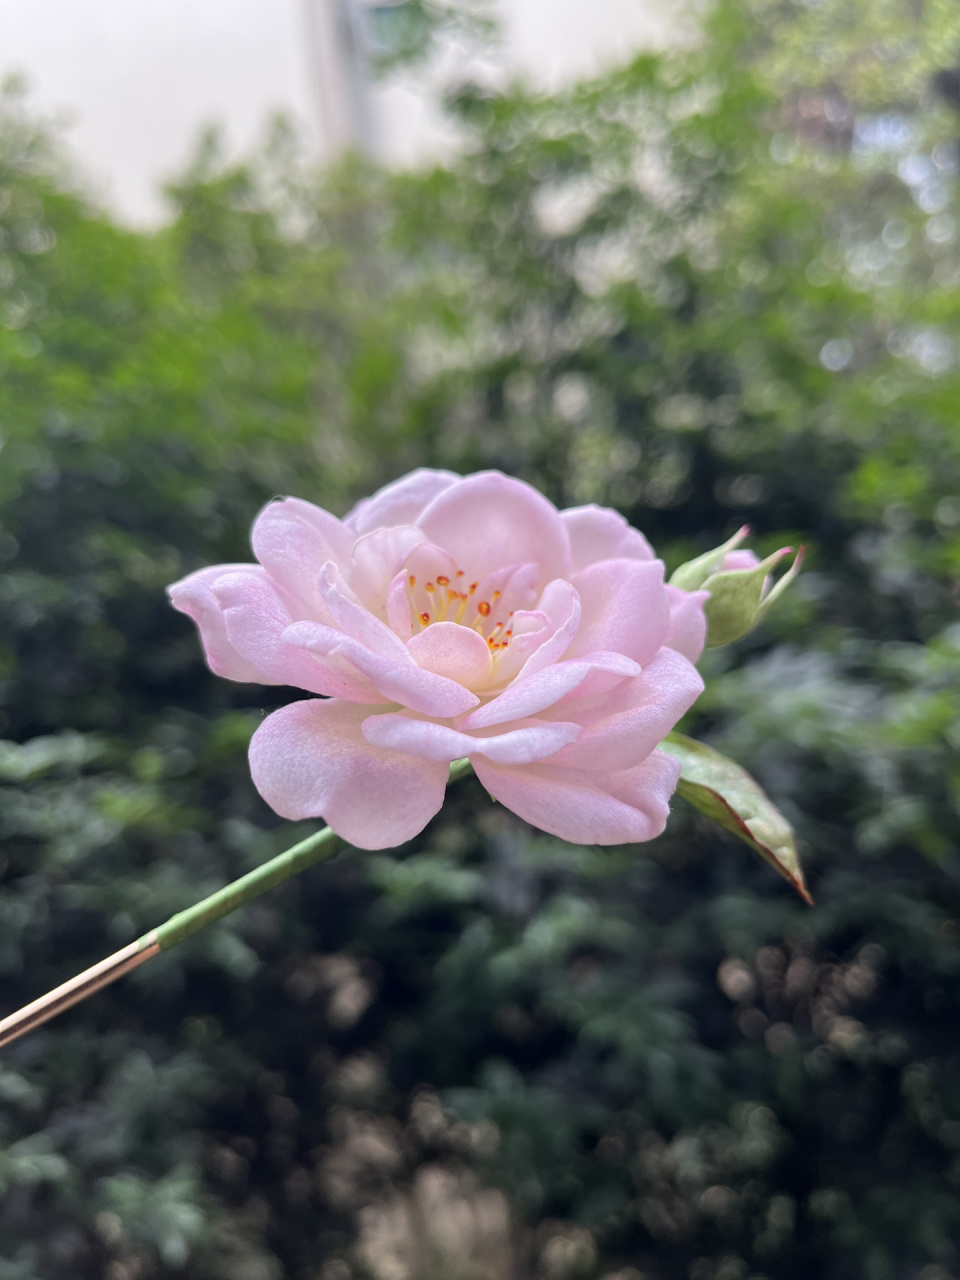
{"x":451,"y":618}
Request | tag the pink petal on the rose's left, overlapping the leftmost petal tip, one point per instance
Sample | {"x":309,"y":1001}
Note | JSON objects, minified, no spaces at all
{"x":257,"y":616}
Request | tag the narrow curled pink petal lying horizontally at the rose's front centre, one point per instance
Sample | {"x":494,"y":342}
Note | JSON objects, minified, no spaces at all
{"x":529,"y":740}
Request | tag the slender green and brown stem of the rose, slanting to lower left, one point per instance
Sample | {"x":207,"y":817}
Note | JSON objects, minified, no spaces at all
{"x":317,"y":848}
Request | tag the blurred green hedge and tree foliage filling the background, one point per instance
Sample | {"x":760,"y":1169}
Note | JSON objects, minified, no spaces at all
{"x":720,"y":285}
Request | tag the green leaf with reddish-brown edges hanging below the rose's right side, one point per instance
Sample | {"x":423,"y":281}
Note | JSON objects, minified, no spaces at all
{"x":724,"y":792}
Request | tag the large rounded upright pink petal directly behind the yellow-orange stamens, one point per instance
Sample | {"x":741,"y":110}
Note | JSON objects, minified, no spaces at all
{"x":491,"y":520}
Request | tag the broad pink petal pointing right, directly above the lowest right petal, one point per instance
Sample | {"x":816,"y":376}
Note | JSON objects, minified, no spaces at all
{"x":632,"y":720}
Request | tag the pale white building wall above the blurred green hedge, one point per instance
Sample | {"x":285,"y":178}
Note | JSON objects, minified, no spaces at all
{"x":136,"y":80}
